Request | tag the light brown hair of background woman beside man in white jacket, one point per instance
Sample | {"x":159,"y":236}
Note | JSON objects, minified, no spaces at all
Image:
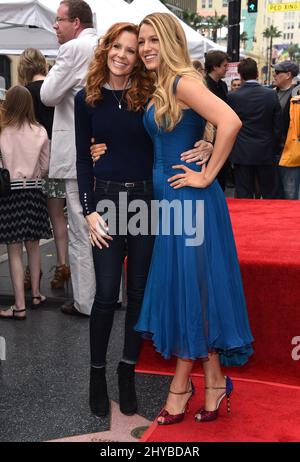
{"x":32,"y":62}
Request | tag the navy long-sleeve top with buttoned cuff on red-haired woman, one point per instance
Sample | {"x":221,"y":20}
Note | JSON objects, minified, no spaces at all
{"x":129,"y":155}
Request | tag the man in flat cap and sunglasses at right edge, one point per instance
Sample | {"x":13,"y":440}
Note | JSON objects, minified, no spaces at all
{"x":284,"y":75}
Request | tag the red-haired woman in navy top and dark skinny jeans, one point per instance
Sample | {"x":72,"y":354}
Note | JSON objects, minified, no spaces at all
{"x":110,"y":110}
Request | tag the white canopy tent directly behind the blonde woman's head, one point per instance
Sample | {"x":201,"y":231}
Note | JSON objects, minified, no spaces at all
{"x":198,"y":45}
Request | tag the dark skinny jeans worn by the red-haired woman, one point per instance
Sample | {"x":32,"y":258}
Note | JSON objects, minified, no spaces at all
{"x":108,"y":268}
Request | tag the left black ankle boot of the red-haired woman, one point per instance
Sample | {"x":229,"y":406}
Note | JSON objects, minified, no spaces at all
{"x":99,"y":401}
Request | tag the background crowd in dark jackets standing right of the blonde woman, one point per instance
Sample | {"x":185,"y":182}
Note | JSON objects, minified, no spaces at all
{"x":264,"y":162}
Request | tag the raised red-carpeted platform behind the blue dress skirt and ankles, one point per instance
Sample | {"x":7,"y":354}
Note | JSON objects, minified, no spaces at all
{"x":267,"y":235}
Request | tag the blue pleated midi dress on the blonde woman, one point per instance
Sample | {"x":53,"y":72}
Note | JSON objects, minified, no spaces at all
{"x":194,"y":301}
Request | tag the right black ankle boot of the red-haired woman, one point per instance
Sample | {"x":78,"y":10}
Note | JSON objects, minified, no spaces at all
{"x":127,"y":394}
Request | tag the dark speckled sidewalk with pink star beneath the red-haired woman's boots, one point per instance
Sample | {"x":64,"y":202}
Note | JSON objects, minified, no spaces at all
{"x":44,"y":379}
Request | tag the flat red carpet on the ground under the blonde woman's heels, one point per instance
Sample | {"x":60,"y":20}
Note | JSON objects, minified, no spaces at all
{"x":259,"y":413}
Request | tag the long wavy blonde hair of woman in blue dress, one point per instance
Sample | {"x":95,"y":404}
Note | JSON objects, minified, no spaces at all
{"x":174,"y":61}
